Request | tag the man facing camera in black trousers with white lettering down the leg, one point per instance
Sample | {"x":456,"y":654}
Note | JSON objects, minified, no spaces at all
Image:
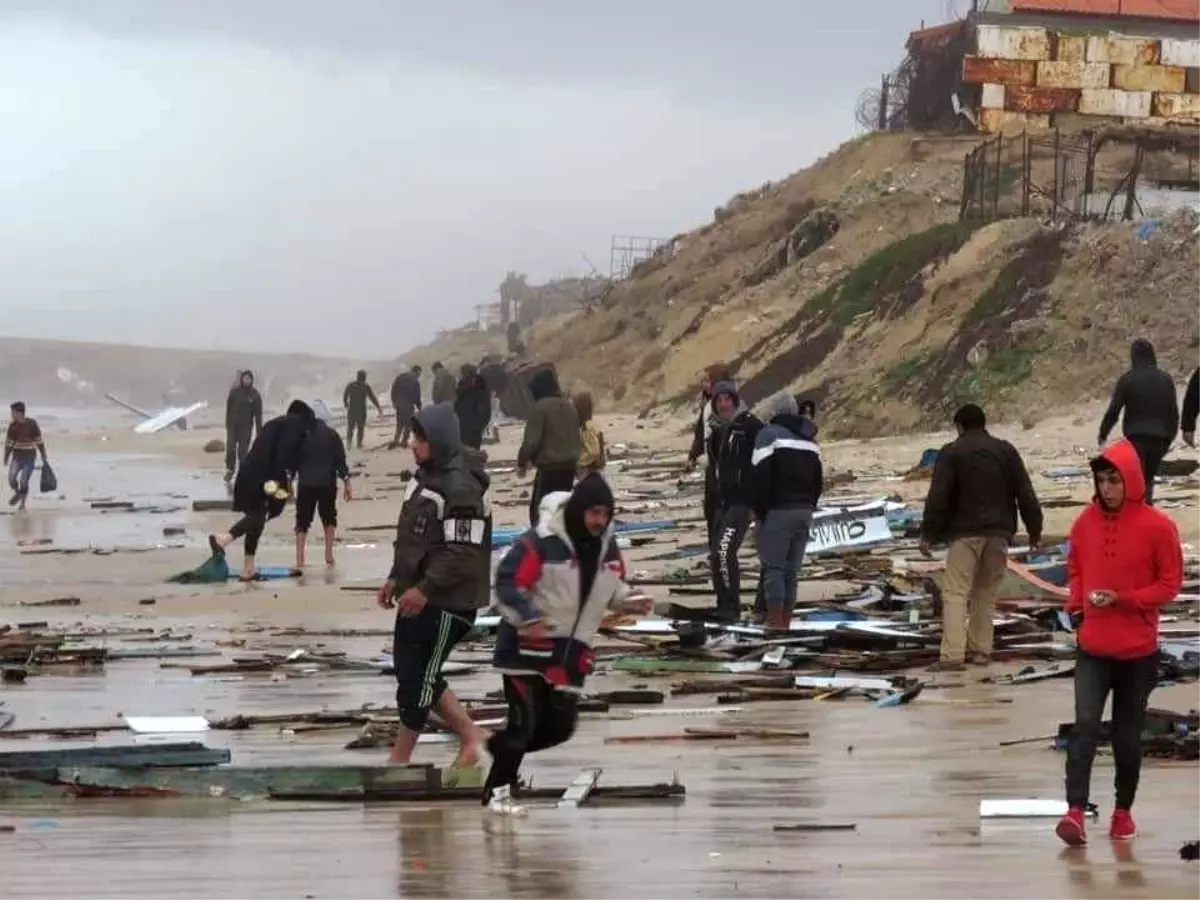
{"x":731,"y":449}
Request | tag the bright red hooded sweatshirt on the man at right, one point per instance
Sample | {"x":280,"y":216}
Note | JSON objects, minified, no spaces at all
{"x":1133,"y":551}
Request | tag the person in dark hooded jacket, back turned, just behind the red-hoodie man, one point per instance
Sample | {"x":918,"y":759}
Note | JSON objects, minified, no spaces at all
{"x":1151,"y":411}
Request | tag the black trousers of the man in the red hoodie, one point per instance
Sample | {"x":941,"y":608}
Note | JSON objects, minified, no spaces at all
{"x":1131,"y":683}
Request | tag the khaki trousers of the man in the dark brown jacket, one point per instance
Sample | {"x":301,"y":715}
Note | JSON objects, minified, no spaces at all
{"x":975,"y":571}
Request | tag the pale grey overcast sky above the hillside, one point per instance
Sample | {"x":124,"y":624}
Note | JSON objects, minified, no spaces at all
{"x":349,"y":177}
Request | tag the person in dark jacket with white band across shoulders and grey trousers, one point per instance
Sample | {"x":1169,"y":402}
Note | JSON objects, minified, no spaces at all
{"x":788,"y":484}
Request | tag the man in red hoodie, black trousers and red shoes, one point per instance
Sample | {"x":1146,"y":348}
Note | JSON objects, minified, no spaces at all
{"x":1124,"y":565}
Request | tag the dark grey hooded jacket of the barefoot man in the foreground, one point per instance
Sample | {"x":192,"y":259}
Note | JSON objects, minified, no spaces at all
{"x":445,"y":532}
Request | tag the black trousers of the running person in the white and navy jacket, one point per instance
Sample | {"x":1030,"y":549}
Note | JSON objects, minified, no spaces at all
{"x":539,"y":718}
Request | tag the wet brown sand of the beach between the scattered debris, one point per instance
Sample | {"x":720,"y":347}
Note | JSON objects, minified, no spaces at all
{"x":910,"y":778}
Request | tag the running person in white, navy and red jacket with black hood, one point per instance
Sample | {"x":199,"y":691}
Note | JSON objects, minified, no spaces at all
{"x":554,"y":589}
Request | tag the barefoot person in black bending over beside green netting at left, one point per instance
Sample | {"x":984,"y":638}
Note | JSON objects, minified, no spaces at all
{"x":274,"y":458}
